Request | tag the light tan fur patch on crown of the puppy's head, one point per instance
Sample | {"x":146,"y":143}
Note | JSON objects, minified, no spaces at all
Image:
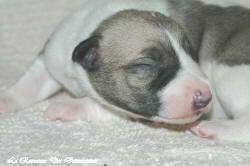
{"x":128,"y":32}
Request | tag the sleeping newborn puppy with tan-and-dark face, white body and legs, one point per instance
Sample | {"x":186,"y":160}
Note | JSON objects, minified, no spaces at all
{"x":121,"y":57}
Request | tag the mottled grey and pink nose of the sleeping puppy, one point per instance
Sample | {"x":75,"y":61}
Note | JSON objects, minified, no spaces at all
{"x":201,"y":99}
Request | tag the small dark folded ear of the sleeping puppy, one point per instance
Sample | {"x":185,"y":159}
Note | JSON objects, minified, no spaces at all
{"x":86,"y":53}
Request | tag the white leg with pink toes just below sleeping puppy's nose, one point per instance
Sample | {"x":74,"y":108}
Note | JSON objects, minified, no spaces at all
{"x":233,"y":130}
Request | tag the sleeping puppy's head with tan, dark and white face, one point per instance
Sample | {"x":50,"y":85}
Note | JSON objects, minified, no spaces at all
{"x":143,"y":63}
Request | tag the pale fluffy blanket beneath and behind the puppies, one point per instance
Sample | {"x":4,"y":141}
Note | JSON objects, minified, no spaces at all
{"x":24,"y":27}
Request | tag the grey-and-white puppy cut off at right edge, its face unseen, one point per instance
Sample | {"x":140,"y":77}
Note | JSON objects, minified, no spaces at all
{"x":221,"y":36}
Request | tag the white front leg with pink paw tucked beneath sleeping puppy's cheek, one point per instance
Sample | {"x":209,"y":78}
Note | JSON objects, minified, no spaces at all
{"x":79,"y":109}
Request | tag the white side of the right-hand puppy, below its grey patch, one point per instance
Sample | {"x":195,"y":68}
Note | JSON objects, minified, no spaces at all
{"x":232,"y":88}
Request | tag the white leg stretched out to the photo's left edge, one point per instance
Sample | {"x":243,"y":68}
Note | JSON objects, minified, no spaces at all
{"x":34,"y":86}
